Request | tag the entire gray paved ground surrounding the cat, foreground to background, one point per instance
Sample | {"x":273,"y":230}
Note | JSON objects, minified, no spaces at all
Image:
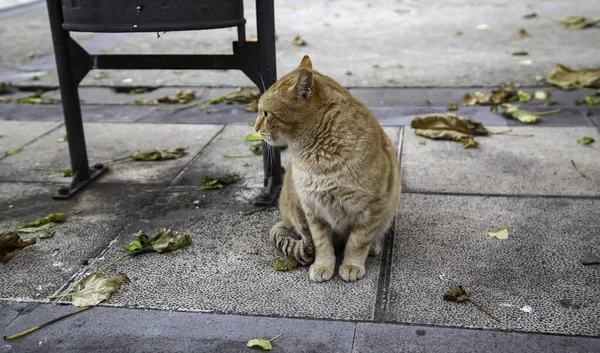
{"x":222,"y":290}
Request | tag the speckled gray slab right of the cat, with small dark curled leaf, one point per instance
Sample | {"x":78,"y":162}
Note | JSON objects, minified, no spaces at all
{"x":442,"y":240}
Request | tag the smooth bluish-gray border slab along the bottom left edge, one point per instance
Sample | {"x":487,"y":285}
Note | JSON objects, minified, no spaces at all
{"x":111,"y":330}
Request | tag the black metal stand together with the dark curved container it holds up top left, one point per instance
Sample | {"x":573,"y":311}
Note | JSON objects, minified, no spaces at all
{"x":256,"y":59}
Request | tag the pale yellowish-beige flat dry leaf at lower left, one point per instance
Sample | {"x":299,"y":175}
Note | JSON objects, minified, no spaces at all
{"x":96,"y":288}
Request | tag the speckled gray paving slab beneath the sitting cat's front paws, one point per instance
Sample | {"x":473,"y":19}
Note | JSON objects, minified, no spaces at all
{"x":228,"y":267}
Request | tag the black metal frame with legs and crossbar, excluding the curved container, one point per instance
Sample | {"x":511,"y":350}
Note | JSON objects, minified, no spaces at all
{"x":255,"y":59}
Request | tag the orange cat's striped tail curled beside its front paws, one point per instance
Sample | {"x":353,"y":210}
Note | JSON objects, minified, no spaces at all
{"x":284,"y":240}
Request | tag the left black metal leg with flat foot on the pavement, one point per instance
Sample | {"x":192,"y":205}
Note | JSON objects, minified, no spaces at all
{"x":68,"y":80}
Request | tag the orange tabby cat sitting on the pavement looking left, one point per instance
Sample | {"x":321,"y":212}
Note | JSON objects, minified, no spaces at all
{"x":343,"y":184}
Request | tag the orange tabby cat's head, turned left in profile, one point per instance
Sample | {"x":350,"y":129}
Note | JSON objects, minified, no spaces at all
{"x":286,"y":108}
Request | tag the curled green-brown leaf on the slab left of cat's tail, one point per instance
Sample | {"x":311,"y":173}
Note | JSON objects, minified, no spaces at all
{"x":164,"y":241}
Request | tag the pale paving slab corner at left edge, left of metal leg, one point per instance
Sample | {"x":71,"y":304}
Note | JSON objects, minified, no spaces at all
{"x":17,"y":134}
